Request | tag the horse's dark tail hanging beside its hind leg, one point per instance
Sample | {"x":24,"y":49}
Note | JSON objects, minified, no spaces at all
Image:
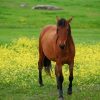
{"x":47,"y":65}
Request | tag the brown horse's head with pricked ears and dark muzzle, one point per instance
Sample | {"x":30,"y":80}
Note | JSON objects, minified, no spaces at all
{"x":63,"y":31}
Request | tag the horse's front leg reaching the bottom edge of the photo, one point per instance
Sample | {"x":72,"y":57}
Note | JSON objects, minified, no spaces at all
{"x":59,"y":78}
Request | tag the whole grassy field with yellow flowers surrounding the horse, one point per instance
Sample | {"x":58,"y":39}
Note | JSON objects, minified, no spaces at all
{"x":19,"y":32}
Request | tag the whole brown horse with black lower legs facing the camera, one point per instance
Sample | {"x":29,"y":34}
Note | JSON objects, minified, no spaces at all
{"x":56,"y":44}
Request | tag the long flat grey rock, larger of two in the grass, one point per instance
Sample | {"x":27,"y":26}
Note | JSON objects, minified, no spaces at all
{"x":46,"y":7}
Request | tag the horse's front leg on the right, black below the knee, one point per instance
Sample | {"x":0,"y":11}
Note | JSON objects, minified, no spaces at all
{"x":70,"y":78}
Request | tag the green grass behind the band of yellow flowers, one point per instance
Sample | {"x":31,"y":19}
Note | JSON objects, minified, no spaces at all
{"x":16,"y":21}
